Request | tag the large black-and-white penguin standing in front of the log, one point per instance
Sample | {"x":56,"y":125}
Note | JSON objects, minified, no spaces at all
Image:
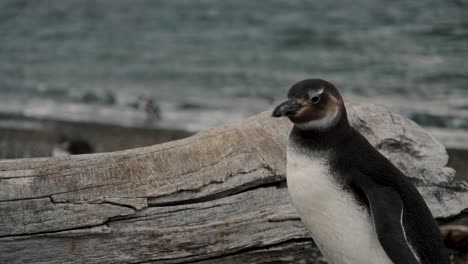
{"x":358,"y":207}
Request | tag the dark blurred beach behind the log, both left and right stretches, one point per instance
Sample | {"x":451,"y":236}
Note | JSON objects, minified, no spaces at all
{"x":36,"y":138}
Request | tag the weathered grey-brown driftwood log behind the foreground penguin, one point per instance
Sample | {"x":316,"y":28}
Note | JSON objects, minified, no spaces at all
{"x":216,"y":197}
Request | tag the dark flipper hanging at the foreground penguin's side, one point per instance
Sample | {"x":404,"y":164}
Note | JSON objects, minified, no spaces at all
{"x":386,"y":208}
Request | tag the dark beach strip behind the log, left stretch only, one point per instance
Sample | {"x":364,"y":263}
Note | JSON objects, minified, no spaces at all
{"x":37,"y":140}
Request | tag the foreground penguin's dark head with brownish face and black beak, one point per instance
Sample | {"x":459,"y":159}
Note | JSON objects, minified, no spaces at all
{"x":312,"y":104}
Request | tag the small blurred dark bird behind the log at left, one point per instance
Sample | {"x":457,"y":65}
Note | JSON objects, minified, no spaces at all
{"x":66,"y":146}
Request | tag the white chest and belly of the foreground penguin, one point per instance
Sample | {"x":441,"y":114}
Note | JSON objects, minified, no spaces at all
{"x":342,"y":229}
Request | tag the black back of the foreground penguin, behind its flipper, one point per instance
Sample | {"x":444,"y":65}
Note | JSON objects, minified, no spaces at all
{"x":421,"y":231}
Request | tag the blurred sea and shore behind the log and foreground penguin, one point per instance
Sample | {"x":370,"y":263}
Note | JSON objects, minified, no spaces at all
{"x":121,"y":74}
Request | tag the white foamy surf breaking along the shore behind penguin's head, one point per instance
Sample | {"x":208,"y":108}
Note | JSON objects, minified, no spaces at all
{"x":195,"y":114}
